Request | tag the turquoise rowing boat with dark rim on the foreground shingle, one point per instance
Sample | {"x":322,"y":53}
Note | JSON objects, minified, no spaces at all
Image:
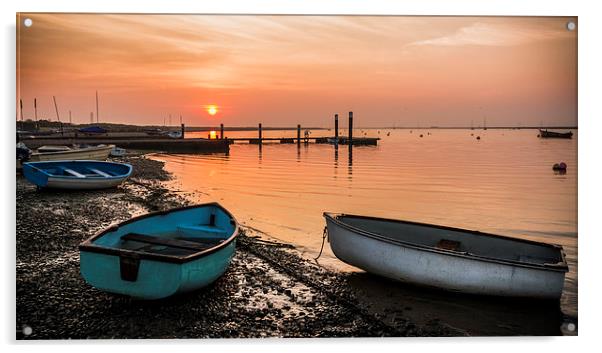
{"x":161,"y":254}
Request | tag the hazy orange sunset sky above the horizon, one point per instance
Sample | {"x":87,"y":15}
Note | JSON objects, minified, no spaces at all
{"x":289,"y":70}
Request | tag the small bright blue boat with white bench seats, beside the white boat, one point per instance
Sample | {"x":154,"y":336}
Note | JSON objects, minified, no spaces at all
{"x":76,"y":175}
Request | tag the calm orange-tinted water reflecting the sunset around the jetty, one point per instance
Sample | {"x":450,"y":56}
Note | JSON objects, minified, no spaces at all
{"x":502,"y":184}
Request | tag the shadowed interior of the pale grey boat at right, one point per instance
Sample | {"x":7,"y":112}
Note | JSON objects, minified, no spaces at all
{"x":459,"y":241}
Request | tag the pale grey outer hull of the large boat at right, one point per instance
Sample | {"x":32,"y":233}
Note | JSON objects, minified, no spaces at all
{"x":441,"y":270}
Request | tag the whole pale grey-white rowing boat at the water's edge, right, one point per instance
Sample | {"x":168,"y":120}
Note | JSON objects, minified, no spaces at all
{"x":448,"y":258}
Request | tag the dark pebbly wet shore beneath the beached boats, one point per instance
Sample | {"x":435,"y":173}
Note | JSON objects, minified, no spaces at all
{"x":268,"y":291}
